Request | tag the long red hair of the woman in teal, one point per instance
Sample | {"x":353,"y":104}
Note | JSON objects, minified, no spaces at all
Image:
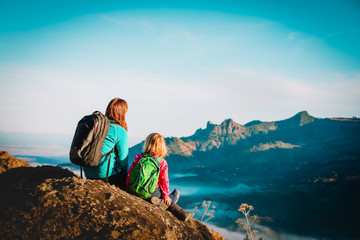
{"x":116,"y":110}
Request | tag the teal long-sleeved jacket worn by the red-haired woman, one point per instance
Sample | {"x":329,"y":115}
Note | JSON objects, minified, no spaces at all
{"x":118,"y":137}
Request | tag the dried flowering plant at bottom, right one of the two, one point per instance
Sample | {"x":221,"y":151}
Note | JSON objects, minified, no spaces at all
{"x":246,"y":222}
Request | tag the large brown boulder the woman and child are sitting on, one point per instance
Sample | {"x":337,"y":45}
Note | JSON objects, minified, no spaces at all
{"x":52,"y":203}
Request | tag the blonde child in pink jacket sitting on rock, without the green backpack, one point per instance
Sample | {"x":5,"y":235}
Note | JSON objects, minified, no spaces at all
{"x":155,"y":146}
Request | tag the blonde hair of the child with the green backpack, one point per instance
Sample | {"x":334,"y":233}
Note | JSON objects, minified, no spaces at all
{"x":155,"y":145}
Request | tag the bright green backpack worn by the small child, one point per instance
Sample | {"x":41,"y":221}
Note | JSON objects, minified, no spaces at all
{"x":145,"y":176}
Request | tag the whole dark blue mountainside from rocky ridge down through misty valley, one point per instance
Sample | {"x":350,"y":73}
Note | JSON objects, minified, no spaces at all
{"x":295,"y":171}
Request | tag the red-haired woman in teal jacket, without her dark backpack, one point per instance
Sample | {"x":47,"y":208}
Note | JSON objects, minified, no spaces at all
{"x":116,"y":138}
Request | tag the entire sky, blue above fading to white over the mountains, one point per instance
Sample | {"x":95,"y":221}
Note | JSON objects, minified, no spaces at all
{"x":178,"y":64}
